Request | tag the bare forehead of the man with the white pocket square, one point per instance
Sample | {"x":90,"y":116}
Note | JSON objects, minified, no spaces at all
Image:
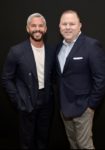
{"x":68,"y":17}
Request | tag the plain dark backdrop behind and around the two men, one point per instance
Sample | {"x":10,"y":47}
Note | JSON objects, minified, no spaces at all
{"x":13,"y":16}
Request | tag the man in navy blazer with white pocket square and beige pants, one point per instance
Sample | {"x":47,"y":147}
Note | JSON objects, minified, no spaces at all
{"x":81,"y":80}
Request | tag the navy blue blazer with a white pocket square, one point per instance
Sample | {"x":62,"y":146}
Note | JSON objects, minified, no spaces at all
{"x":82,"y":83}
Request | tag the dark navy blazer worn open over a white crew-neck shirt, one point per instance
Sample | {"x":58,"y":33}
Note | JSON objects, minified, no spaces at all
{"x":20,"y":76}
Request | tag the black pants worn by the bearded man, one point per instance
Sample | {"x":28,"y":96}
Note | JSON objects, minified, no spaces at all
{"x":34,"y":126}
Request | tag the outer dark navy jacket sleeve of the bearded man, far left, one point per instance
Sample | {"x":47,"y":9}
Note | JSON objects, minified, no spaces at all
{"x":8,"y":76}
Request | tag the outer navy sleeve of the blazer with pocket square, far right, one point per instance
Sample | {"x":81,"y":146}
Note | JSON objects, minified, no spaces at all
{"x":97,"y":68}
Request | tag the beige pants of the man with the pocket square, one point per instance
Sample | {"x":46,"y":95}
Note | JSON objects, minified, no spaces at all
{"x":79,"y":130}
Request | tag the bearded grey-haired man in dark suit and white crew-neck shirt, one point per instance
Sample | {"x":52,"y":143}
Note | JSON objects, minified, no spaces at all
{"x":27,"y":77}
